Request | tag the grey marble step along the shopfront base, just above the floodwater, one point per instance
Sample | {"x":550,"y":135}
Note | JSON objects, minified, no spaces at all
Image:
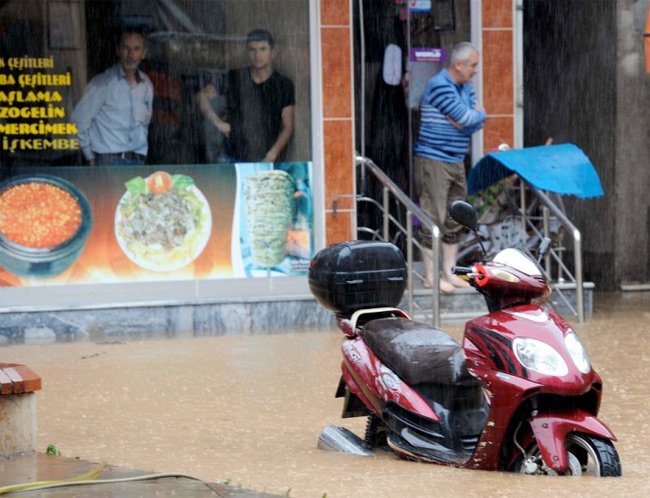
{"x":251,"y":315}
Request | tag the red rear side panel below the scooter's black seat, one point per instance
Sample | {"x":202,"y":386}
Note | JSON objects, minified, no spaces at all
{"x":378,"y":384}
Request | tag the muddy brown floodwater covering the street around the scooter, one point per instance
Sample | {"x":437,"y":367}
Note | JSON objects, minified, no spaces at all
{"x":250,"y":409}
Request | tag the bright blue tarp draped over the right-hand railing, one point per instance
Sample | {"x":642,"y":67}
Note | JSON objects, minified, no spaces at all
{"x":563,"y":169}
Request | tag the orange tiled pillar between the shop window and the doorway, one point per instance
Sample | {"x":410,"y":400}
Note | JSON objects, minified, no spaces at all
{"x":338,"y":115}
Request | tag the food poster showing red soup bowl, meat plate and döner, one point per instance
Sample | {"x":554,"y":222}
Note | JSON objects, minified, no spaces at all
{"x":156,"y":223}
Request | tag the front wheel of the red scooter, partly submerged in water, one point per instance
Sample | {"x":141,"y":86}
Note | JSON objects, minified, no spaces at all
{"x":587,"y":455}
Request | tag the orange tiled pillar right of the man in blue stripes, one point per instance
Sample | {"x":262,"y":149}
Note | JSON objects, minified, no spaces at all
{"x":497,"y":67}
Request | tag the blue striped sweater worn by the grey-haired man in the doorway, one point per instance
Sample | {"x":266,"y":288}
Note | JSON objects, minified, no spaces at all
{"x":439,"y":139}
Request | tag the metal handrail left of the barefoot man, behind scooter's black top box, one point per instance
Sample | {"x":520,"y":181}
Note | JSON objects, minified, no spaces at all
{"x":412,"y":210}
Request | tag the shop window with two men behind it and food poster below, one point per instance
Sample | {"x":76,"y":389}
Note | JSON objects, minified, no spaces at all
{"x":177,"y":197}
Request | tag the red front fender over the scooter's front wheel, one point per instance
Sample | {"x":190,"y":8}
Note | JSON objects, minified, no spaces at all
{"x":550,"y":431}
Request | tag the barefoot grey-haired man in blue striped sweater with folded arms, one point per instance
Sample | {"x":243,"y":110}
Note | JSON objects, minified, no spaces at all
{"x":449,"y":116}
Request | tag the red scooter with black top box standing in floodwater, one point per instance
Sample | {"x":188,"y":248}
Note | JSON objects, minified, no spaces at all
{"x":518,"y":395}
